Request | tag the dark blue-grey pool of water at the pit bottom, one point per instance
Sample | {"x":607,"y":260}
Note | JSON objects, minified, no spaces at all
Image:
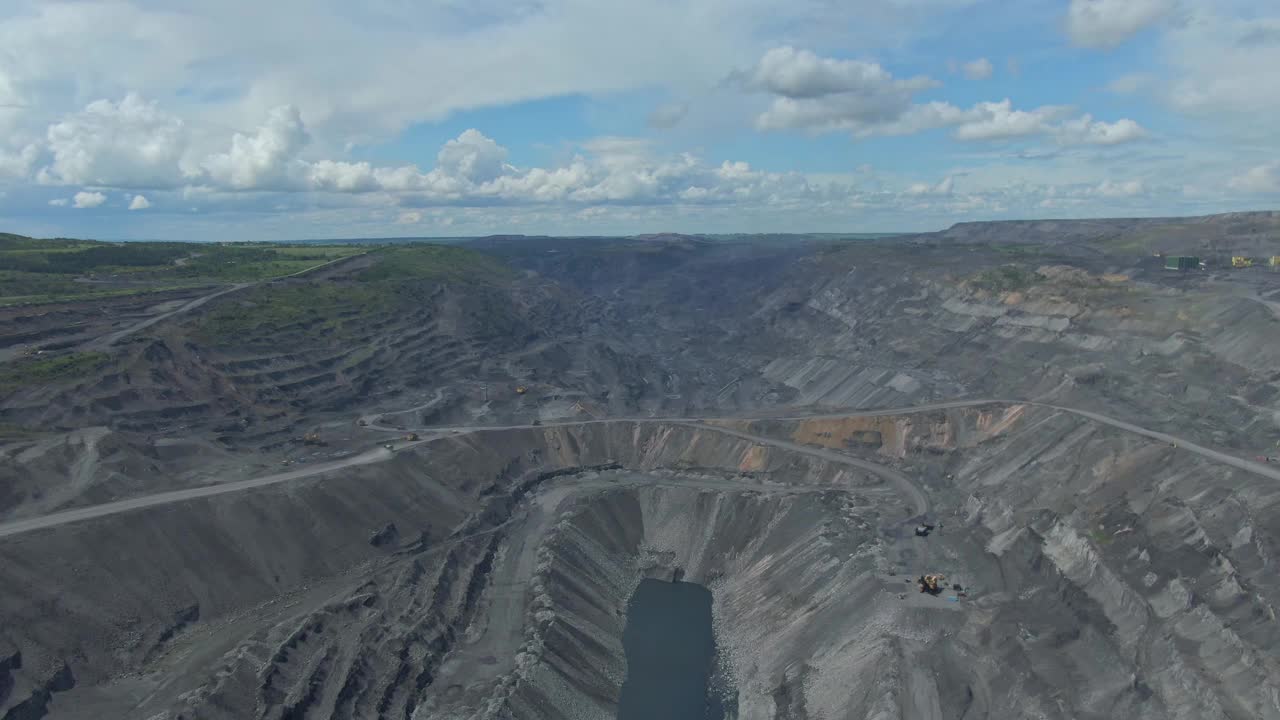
{"x":670,"y":654}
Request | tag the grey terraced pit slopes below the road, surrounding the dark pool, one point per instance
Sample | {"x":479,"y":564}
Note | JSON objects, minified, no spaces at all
{"x":487,"y":576}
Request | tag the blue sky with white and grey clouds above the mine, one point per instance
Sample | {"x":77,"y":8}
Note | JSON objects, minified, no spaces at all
{"x":236,"y":120}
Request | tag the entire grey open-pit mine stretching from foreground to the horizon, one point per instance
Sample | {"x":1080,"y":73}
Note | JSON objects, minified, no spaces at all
{"x":1004,"y":471}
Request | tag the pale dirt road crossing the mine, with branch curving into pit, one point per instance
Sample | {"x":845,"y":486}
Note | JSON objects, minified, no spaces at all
{"x":906,"y":485}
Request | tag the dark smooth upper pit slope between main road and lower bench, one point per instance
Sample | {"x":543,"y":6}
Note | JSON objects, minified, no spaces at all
{"x":109,"y":596}
